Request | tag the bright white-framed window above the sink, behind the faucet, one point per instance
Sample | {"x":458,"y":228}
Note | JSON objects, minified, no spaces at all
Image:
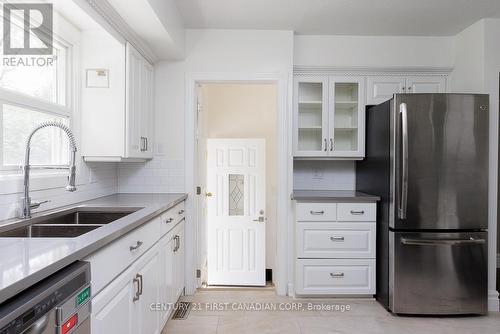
{"x":32,"y":94}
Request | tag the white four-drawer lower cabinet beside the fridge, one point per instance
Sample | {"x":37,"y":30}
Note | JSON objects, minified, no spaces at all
{"x":335,"y":252}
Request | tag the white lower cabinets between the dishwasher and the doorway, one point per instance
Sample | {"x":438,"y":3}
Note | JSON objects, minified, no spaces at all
{"x":140,"y":299}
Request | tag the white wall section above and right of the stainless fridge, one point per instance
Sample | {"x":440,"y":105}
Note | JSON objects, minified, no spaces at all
{"x":476,"y":70}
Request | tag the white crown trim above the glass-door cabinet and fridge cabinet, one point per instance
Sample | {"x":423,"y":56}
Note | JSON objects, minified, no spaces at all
{"x":300,"y":70}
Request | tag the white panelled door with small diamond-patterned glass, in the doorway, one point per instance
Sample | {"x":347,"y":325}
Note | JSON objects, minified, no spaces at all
{"x":236,"y":180}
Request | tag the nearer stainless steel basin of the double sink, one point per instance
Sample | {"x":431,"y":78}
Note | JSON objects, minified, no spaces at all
{"x":49,"y":231}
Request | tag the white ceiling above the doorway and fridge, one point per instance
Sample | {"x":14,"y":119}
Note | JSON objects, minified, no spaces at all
{"x":339,"y":17}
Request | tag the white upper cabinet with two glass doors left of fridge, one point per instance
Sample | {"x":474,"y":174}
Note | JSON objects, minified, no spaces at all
{"x":329,"y":117}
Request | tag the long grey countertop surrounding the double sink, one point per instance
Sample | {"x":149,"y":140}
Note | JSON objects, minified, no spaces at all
{"x":26,"y":261}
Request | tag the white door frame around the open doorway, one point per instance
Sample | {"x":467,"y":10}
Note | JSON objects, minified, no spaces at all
{"x":284,"y":244}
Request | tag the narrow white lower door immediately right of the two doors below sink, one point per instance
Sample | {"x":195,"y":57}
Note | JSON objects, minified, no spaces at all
{"x":167,"y":294}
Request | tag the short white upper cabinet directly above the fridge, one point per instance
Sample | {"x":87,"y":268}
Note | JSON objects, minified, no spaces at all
{"x":382,"y":88}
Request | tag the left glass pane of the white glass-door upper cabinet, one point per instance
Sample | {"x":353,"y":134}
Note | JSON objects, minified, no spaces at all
{"x":310,"y":116}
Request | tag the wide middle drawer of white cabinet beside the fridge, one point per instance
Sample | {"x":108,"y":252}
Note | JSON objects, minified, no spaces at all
{"x":341,"y":240}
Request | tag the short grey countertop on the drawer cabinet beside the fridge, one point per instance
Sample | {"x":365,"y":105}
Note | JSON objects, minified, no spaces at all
{"x":333,"y":195}
